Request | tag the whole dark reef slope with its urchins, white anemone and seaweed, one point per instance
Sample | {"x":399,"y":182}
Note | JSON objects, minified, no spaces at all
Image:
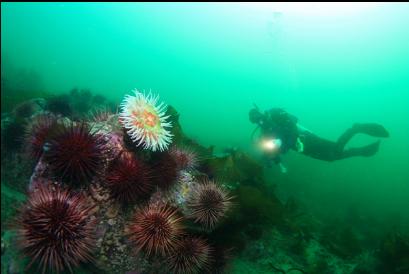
{"x":77,"y":179}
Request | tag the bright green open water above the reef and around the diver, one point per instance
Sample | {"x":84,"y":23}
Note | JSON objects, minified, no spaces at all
{"x":213,"y":61}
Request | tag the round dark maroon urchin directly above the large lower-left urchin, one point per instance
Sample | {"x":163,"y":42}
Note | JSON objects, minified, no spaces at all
{"x":75,"y":154}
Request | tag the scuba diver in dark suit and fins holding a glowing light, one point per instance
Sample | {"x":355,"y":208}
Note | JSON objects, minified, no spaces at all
{"x":281,"y":132}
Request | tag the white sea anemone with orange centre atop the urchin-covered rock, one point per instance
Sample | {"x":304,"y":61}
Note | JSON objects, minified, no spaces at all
{"x":145,"y":121}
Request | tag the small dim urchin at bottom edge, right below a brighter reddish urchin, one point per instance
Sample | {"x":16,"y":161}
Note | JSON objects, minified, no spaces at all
{"x":190,"y":256}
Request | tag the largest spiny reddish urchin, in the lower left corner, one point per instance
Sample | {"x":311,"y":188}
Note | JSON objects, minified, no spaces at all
{"x":56,"y":230}
